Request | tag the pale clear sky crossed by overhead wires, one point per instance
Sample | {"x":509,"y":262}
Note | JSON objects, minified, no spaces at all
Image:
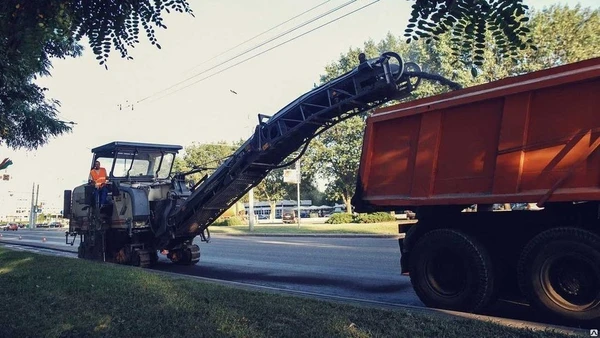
{"x":207,"y":111}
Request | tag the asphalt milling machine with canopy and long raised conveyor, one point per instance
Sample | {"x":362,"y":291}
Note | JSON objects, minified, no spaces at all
{"x":152,"y":209}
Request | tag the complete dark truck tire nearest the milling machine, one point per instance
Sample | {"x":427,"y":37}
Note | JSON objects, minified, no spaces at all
{"x":452,"y":270}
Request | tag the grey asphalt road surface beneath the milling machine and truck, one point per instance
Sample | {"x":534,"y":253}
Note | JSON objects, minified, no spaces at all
{"x":360,"y":268}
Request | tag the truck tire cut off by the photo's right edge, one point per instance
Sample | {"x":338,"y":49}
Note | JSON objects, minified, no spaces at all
{"x":559,"y":273}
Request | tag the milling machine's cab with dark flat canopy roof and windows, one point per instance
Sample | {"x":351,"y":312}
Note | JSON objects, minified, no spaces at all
{"x":131,"y":161}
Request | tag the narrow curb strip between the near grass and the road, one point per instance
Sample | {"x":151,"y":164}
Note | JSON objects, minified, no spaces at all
{"x":356,"y":301}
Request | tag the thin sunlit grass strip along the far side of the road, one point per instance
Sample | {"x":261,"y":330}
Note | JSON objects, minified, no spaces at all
{"x":387,"y":228}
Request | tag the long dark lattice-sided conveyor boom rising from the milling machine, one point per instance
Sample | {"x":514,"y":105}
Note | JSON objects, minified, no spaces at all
{"x":369,"y":85}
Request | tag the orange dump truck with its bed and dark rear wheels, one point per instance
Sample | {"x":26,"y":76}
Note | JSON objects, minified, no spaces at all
{"x":527,"y":139}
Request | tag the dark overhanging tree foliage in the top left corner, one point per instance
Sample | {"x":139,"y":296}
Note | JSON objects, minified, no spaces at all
{"x":34,"y":31}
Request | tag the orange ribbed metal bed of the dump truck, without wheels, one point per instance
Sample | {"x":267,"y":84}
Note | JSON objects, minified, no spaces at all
{"x":530,"y":138}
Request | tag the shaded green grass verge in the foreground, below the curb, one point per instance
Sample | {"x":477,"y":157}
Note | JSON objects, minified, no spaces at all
{"x":45,"y":296}
